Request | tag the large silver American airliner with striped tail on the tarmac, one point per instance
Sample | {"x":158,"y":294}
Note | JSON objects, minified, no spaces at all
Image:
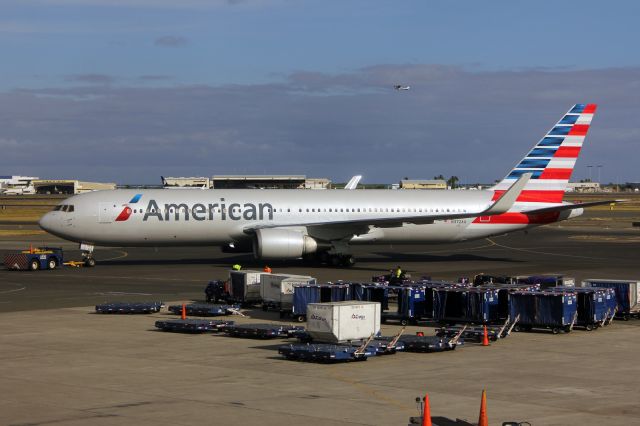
{"x":322,"y":225}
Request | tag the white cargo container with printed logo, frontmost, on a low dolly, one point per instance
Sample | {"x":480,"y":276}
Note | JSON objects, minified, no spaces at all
{"x":343,"y":321}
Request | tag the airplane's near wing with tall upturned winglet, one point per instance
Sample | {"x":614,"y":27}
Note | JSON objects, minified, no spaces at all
{"x":351,"y":226}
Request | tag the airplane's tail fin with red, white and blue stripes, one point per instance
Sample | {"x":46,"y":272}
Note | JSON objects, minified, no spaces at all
{"x":552,"y":159}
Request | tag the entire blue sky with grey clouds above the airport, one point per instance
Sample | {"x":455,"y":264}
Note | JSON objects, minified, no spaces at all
{"x":127,"y":90}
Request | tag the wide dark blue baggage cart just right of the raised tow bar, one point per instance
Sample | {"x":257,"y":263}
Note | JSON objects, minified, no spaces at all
{"x":544,"y":309}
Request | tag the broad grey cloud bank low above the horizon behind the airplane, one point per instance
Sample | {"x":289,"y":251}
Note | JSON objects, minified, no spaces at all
{"x":475,"y":125}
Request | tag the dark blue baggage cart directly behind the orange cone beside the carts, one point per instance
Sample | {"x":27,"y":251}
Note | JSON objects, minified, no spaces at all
{"x":465,"y":305}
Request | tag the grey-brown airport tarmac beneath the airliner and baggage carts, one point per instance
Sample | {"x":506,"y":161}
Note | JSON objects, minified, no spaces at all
{"x":62,"y":364}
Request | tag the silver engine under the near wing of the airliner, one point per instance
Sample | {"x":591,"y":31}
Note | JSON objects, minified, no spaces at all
{"x":282,"y":244}
